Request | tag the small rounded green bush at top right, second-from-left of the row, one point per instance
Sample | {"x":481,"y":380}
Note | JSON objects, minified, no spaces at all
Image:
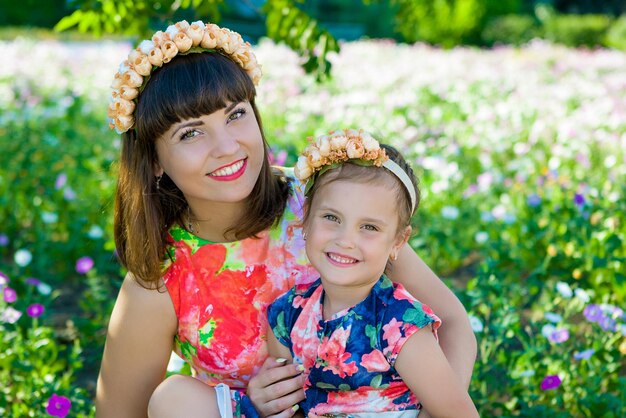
{"x":510,"y":30}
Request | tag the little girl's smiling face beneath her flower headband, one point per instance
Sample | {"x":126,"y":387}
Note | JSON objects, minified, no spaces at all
{"x":351,"y":231}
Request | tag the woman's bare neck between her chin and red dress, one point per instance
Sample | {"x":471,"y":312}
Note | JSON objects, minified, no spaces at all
{"x":211,"y":221}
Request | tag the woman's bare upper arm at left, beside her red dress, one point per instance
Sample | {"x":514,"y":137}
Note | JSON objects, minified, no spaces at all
{"x":138,"y":346}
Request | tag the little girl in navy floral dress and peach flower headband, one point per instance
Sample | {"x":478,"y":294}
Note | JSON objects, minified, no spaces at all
{"x":367,"y":346}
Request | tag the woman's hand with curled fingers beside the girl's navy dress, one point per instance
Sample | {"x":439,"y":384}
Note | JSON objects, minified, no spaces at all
{"x":276,"y":388}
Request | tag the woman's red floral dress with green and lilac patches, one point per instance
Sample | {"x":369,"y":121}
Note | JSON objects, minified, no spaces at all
{"x":221,"y":292}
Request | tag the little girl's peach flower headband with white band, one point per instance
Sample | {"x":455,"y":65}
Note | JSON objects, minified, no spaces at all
{"x":347,"y":145}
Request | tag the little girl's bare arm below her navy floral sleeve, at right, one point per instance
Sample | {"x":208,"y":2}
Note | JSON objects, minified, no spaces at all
{"x":424,"y":369}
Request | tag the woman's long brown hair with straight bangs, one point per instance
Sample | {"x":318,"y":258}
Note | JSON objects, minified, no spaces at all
{"x":189,"y":86}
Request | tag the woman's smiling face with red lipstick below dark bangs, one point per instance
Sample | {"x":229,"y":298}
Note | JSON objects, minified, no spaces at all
{"x":213,"y":158}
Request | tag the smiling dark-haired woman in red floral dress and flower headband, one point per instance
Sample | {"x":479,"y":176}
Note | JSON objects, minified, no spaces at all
{"x":211,"y":235}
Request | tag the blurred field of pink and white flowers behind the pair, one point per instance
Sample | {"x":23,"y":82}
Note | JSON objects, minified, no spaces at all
{"x":521,"y":155}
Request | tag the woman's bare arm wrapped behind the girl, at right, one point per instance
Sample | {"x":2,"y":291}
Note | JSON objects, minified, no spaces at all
{"x":456,"y":337}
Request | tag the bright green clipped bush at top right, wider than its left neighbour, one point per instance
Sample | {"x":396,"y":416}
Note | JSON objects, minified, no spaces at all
{"x":577,"y":30}
